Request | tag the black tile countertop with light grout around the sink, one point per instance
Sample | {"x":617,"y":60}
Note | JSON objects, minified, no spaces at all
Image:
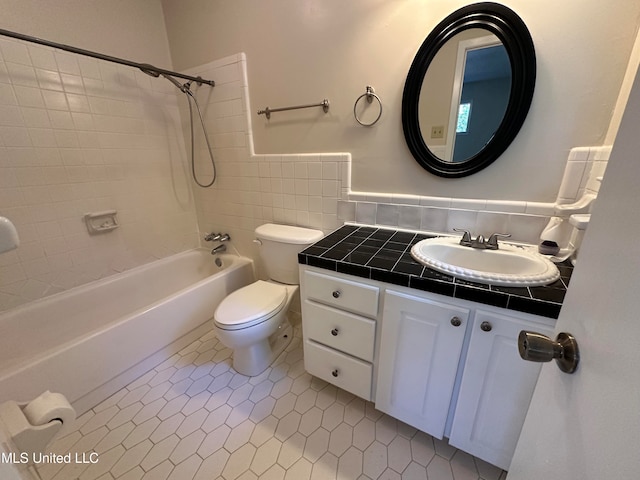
{"x":384,"y":255}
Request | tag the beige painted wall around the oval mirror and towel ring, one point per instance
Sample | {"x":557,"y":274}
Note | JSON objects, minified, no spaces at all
{"x":303,"y":51}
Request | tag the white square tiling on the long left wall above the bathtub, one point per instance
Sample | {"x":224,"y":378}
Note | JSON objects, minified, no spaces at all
{"x":58,"y":164}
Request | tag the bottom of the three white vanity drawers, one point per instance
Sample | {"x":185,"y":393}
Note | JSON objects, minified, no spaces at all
{"x":341,"y":370}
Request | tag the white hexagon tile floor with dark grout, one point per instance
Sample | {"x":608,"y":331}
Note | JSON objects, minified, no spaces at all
{"x":194,"y":418}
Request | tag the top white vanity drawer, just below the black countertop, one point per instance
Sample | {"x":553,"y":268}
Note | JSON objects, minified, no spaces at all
{"x":345,"y":294}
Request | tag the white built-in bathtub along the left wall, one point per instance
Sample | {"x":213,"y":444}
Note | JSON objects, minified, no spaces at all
{"x":90,"y":341}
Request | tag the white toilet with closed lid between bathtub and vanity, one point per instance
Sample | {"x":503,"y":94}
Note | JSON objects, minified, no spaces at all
{"x":252,"y":321}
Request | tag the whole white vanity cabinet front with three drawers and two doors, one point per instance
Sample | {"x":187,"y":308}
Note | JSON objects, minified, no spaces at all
{"x":447,"y":366}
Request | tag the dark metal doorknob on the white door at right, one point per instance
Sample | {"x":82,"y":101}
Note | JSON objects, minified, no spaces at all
{"x":536,"y":347}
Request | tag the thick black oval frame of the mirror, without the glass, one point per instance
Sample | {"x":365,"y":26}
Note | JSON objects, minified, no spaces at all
{"x":512,"y":31}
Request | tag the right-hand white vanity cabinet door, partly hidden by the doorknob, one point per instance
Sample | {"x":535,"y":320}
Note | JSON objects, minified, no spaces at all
{"x":496,"y":389}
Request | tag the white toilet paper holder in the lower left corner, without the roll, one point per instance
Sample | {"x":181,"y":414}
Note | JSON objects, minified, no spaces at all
{"x":22,"y":434}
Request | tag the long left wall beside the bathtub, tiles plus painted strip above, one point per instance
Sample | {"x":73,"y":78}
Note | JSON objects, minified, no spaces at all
{"x":79,"y":135}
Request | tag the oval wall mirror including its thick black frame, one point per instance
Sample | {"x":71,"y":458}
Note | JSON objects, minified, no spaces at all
{"x":468,"y":90}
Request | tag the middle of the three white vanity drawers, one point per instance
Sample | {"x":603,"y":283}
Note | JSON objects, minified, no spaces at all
{"x":341,"y":330}
